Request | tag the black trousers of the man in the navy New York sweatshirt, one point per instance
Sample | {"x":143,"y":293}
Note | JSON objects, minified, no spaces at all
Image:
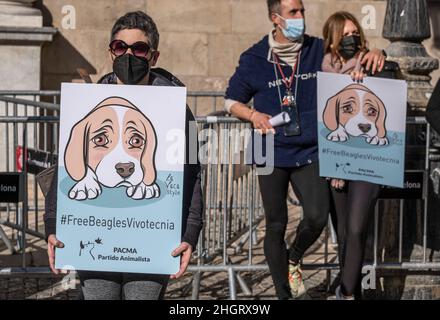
{"x":314,"y":194}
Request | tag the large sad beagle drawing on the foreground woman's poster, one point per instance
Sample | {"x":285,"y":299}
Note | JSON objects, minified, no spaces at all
{"x":112,"y":146}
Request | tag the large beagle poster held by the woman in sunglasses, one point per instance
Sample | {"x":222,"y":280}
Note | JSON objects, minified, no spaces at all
{"x":120,"y":177}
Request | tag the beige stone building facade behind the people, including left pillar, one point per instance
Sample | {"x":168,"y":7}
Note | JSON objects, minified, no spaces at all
{"x":201,"y":40}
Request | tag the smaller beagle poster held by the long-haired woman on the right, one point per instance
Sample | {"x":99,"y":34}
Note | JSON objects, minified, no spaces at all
{"x":362,"y":129}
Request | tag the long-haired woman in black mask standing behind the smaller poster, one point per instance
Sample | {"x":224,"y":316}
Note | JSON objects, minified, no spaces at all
{"x":345,"y":47}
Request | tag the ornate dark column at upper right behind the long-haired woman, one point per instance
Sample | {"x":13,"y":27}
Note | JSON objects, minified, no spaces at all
{"x":406,"y":26}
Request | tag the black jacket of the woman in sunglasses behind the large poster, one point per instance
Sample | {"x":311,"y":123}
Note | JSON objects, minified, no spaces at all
{"x":192,"y":214}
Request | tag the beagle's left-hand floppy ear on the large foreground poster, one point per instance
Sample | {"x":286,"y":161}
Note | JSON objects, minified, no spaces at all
{"x":76,"y":154}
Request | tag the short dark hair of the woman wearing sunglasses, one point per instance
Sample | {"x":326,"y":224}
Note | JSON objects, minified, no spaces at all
{"x":138,"y":20}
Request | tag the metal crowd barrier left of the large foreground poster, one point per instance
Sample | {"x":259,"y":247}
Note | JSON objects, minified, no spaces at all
{"x":22,"y":127}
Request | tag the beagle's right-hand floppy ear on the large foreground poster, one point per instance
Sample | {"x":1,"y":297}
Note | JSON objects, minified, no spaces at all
{"x":148,"y":156}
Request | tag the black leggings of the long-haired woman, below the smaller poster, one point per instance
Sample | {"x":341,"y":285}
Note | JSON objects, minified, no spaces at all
{"x":354,"y":206}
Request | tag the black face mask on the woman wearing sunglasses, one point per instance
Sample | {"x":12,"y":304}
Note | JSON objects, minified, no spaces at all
{"x":131,"y":69}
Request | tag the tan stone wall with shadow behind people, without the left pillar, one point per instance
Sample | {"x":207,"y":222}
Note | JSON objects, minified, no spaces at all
{"x":201,"y":40}
